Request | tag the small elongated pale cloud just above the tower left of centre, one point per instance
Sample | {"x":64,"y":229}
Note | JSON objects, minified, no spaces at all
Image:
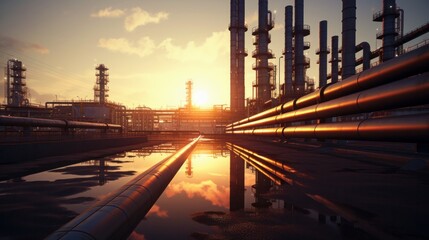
{"x":143,"y":47}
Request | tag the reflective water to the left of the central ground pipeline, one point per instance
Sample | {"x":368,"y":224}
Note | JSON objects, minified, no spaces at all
{"x":34,"y":206}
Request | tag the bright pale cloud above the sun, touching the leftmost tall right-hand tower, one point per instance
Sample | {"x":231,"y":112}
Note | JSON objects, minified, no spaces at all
{"x":208,"y":51}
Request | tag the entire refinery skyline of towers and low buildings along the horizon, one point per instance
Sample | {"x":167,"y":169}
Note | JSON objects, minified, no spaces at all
{"x":335,"y":63}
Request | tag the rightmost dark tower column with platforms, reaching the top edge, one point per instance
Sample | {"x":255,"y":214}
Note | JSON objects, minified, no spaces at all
{"x":389,"y":33}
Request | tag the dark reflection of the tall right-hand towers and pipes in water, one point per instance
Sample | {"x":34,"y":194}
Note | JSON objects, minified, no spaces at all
{"x":273,"y":183}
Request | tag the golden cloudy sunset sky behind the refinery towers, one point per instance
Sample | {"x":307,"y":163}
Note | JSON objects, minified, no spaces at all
{"x":153,"y":47}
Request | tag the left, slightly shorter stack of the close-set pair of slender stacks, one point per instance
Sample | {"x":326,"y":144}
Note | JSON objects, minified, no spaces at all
{"x":288,"y":87}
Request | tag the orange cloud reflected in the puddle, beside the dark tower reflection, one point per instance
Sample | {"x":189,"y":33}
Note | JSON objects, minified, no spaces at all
{"x":217,"y":195}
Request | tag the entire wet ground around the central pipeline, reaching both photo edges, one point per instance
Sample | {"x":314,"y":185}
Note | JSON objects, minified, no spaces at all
{"x":236,"y":190}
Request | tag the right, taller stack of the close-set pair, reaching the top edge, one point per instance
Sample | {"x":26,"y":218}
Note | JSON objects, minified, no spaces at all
{"x":299,"y":48}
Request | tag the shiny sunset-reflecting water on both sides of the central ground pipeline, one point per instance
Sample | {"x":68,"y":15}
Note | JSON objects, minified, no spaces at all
{"x":226,"y":197}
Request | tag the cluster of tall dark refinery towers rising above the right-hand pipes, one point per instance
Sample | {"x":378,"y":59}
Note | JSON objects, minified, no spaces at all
{"x":342,"y":58}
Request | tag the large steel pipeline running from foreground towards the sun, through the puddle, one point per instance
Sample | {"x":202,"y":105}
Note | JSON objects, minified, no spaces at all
{"x":116,"y":216}
